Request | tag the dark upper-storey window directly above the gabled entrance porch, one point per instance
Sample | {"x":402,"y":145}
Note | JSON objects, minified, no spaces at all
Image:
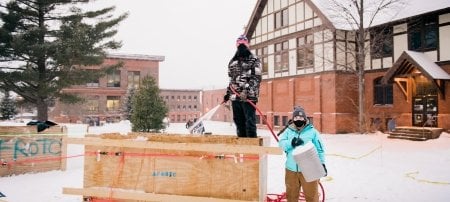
{"x":423,"y":34}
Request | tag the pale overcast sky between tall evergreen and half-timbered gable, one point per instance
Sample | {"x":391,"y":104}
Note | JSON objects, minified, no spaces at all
{"x":197,"y":37}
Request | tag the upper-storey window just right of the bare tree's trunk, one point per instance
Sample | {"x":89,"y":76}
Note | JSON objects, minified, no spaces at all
{"x":381,"y":42}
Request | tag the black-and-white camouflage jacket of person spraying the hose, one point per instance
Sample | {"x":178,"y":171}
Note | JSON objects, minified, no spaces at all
{"x":245,"y":77}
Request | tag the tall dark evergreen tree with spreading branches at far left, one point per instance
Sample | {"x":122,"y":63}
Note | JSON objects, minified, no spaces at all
{"x":44,"y":45}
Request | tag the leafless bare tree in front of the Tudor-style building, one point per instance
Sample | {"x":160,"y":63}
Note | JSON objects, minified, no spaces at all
{"x":357,"y":17}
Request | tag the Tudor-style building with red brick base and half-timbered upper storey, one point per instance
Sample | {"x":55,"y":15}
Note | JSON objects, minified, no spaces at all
{"x":306,"y":55}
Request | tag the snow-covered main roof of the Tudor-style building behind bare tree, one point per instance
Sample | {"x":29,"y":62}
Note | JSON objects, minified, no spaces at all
{"x":339,"y":12}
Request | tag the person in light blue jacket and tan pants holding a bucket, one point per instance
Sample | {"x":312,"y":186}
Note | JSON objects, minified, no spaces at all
{"x":300,"y":132}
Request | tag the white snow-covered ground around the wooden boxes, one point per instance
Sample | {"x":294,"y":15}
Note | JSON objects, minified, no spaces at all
{"x":361,"y":168}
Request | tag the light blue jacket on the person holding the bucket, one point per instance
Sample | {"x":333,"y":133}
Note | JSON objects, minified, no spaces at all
{"x":308,"y":134}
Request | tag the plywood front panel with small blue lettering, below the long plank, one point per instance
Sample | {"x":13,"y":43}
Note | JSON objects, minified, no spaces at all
{"x":173,"y":172}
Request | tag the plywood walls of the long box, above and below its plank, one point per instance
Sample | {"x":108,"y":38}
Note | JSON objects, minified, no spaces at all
{"x":222,"y":175}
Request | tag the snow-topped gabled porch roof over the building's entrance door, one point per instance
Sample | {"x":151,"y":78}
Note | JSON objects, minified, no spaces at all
{"x":409,"y":60}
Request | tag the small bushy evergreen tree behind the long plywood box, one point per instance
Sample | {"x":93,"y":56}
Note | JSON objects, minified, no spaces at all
{"x":149,"y":109}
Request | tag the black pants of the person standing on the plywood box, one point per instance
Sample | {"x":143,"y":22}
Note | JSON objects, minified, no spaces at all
{"x":245,"y":119}
